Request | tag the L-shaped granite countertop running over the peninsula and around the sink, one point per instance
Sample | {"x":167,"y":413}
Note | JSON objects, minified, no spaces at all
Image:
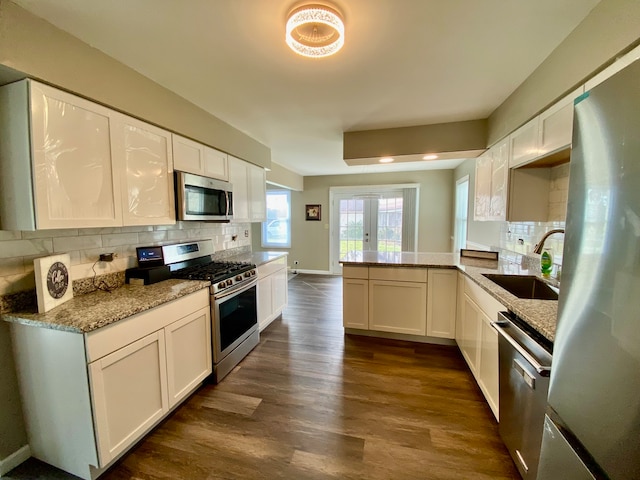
{"x":540,"y":315}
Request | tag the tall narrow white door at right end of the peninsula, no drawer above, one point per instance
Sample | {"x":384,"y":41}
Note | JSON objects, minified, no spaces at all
{"x":441,"y":303}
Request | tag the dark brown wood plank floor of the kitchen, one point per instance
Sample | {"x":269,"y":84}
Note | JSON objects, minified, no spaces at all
{"x":312,"y":403}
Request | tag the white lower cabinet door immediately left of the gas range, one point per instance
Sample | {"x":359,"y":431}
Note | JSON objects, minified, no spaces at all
{"x":188,"y":354}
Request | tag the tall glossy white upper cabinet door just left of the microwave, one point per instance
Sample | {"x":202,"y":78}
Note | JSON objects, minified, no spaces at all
{"x":143,"y":156}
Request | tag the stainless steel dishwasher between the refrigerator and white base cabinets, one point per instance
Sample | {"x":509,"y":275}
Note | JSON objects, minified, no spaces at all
{"x":525,"y":366}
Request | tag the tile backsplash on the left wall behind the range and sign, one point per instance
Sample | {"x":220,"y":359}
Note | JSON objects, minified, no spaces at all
{"x":19,"y":248}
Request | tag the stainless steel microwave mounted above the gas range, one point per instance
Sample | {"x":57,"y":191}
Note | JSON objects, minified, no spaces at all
{"x":203,"y":198}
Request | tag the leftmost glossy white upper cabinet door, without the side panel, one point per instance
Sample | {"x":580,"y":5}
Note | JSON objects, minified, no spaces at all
{"x":74,"y":184}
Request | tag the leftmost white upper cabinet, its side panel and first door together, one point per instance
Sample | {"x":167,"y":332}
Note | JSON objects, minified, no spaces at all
{"x":64,"y":176}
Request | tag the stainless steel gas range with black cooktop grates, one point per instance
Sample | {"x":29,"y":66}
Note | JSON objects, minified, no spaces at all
{"x":234,"y":310}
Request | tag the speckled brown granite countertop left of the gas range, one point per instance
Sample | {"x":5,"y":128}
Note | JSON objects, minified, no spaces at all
{"x":85,"y":313}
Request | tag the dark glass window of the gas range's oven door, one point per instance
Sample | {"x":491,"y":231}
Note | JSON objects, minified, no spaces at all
{"x":238,"y":314}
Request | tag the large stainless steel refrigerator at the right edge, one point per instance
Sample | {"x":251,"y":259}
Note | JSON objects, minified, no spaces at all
{"x":592,"y":428}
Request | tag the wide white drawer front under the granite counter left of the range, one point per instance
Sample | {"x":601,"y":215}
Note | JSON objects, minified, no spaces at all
{"x":105,"y":340}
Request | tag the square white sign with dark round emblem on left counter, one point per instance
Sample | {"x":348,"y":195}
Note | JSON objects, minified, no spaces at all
{"x":53,"y":281}
